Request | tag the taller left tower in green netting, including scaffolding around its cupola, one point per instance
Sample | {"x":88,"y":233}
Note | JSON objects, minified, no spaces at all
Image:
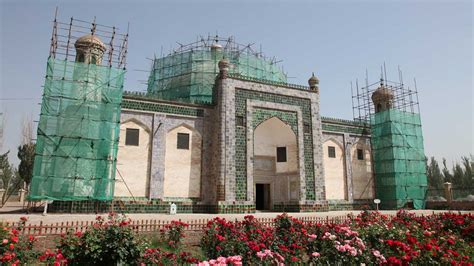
{"x":78,"y":129}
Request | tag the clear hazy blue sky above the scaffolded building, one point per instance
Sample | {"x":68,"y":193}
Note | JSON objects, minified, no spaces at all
{"x":431,"y":41}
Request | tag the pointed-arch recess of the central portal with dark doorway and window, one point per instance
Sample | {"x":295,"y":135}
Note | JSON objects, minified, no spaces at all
{"x":276,"y":173}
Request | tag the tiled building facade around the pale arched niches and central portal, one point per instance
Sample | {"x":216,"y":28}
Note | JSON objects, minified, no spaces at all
{"x":227,"y":129}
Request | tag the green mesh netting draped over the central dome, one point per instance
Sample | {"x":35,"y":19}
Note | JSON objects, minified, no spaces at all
{"x":190,"y":76}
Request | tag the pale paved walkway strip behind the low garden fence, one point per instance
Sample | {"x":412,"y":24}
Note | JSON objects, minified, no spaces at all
{"x":36,"y":218}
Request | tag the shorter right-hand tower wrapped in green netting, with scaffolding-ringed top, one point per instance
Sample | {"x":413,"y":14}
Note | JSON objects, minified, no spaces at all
{"x":392,"y":111}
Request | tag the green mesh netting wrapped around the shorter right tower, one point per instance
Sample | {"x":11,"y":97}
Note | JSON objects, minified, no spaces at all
{"x":399,"y":158}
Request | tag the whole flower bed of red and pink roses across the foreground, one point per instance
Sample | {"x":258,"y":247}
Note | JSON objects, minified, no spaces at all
{"x":369,"y":238}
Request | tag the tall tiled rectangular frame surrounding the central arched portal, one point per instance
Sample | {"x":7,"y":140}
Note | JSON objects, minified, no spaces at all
{"x":233,"y":95}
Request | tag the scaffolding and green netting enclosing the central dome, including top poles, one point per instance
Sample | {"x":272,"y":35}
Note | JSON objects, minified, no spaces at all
{"x":188,"y":73}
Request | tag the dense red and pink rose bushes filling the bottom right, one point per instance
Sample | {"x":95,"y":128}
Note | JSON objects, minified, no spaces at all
{"x":369,"y":238}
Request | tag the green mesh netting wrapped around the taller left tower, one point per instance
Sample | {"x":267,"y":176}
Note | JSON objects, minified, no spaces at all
{"x":78,"y":132}
